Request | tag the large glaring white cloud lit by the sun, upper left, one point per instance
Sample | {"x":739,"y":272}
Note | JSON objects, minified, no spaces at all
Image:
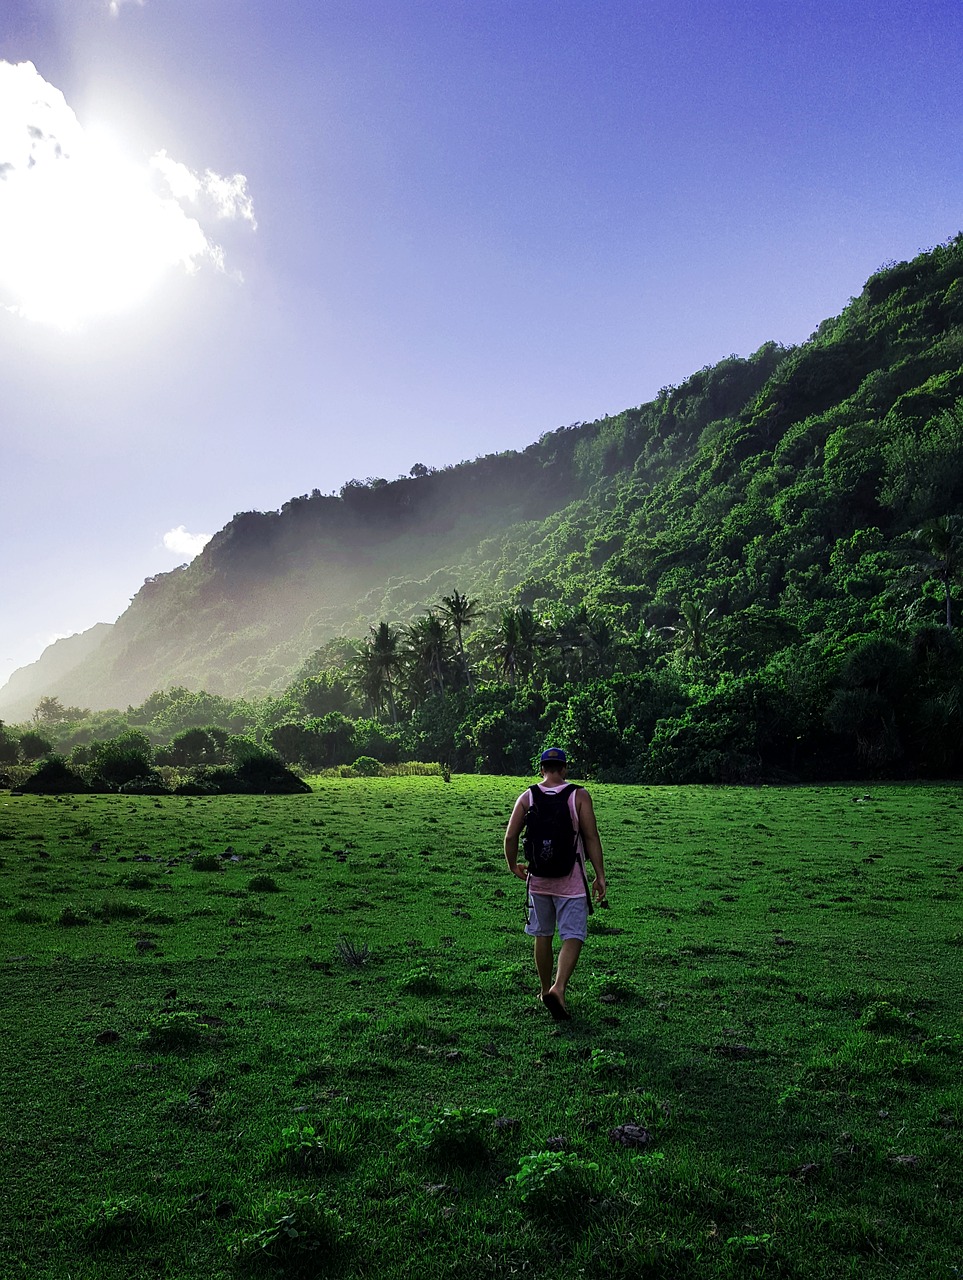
{"x":84,"y":231}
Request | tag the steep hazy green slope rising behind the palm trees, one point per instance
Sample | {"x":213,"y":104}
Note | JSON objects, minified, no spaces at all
{"x":764,"y":483}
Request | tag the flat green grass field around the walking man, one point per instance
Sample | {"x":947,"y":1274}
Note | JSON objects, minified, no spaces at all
{"x":299,"y":1036}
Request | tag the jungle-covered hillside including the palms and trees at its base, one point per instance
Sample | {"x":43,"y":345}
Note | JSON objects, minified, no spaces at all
{"x":755,"y":577}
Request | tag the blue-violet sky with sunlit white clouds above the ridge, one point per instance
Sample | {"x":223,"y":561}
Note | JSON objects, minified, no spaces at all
{"x":321,"y":241}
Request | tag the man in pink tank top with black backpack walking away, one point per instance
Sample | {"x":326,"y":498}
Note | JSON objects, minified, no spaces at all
{"x":562,"y":834}
